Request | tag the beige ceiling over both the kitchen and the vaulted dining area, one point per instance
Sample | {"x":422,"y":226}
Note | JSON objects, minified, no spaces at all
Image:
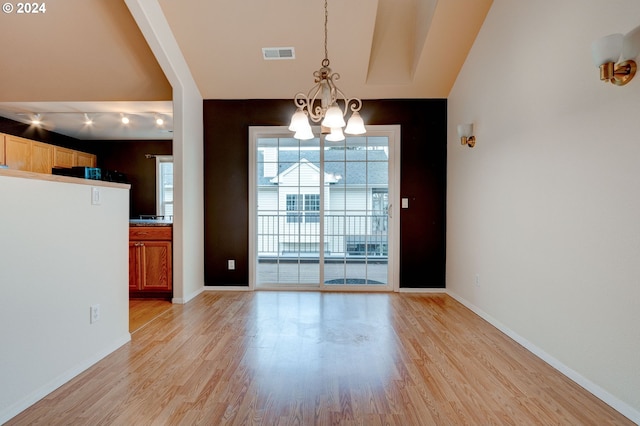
{"x":102,"y":66}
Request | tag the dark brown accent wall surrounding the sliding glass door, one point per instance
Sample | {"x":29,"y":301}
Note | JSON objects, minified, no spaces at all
{"x":423,"y":180}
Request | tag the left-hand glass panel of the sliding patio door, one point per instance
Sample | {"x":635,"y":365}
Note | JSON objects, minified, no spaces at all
{"x":288,"y":212}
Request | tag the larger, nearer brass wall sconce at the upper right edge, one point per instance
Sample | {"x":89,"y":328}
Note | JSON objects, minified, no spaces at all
{"x":608,"y":50}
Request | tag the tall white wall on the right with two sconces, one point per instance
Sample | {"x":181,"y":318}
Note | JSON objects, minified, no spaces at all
{"x":545,"y":208}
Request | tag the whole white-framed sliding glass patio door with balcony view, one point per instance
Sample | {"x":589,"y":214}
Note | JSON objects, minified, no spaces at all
{"x":321,"y":212}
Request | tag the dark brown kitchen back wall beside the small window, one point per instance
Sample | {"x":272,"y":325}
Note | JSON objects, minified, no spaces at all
{"x":128,"y":157}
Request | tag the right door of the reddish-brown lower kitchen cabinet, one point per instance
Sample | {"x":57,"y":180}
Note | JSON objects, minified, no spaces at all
{"x":157,"y":266}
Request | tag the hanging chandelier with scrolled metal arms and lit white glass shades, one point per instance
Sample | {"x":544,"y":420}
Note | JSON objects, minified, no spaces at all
{"x":322,"y":104}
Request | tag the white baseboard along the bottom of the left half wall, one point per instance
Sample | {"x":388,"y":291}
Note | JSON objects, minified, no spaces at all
{"x":35,"y":396}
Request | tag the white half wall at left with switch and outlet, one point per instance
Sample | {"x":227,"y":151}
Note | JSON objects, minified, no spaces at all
{"x":58,"y":256}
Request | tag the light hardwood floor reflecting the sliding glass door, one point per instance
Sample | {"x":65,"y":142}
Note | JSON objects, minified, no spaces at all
{"x":283,"y":358}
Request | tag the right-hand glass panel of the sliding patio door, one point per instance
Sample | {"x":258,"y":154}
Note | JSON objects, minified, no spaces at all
{"x":356,"y":221}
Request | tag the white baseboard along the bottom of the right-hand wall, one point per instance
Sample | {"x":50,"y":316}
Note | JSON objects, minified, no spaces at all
{"x":618,"y":405}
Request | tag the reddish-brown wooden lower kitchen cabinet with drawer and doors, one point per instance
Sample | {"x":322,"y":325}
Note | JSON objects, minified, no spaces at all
{"x":150,"y":261}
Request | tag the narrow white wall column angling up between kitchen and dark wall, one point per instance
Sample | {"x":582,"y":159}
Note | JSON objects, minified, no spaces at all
{"x":188,"y":173}
